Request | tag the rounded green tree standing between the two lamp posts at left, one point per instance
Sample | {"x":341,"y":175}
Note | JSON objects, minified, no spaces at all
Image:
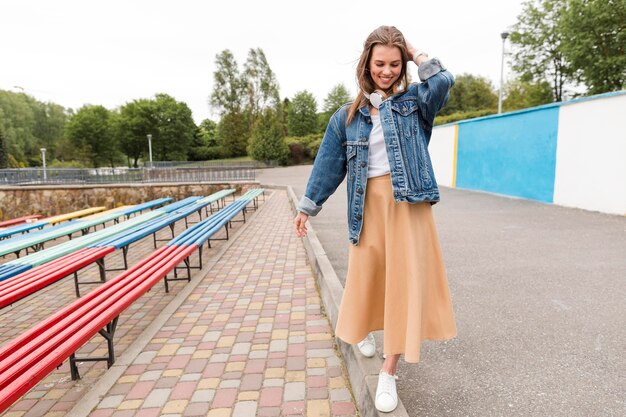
{"x":90,"y":131}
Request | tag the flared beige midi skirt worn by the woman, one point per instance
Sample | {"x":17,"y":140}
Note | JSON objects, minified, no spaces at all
{"x":396,"y":278}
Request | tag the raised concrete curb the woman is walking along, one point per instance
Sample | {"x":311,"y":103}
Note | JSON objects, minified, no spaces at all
{"x":362,"y":372}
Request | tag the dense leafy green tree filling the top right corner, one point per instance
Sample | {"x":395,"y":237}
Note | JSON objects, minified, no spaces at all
{"x":594,"y":42}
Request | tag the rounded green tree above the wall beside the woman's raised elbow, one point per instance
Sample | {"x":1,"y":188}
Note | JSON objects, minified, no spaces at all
{"x":470,"y":93}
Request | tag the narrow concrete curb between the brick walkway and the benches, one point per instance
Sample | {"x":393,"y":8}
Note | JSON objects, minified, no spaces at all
{"x":91,"y":399}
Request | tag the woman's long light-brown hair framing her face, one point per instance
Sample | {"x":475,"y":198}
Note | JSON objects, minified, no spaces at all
{"x":386,"y":36}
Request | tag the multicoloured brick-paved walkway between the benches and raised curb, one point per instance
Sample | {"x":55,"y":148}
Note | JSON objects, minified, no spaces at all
{"x":251,"y":339}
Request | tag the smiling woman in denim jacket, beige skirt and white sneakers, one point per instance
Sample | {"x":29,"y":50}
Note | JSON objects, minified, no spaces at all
{"x":396,"y":279}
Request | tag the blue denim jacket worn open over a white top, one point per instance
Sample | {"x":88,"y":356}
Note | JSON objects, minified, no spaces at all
{"x":407,"y":121}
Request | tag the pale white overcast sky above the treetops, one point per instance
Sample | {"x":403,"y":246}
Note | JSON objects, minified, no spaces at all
{"x":110,"y":52}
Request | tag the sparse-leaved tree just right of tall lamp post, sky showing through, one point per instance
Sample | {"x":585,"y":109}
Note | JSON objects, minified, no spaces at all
{"x":538,"y":45}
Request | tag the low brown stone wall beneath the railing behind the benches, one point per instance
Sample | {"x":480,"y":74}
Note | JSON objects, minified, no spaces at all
{"x":56,"y":199}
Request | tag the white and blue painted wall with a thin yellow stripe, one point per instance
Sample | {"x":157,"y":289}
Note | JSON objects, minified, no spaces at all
{"x":571,"y":154}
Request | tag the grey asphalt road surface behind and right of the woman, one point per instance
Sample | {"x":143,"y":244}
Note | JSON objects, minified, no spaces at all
{"x":539,"y":293}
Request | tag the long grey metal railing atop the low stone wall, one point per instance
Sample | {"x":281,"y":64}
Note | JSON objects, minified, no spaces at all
{"x":37,"y":176}
